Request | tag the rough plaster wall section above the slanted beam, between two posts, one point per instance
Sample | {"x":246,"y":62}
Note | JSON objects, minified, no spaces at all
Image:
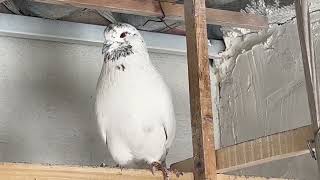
{"x":266,"y":90}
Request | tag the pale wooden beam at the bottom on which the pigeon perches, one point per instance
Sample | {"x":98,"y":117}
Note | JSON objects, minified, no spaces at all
{"x":15,"y":171}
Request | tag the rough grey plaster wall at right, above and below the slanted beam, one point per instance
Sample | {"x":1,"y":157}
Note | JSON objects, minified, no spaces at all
{"x":264,"y":92}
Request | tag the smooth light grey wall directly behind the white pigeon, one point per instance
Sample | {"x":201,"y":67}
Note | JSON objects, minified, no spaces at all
{"x":47,"y":94}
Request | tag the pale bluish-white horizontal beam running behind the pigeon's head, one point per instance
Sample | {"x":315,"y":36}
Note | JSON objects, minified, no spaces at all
{"x":69,"y":32}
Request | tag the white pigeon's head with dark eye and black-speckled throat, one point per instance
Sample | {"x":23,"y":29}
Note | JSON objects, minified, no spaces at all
{"x":121,"y":40}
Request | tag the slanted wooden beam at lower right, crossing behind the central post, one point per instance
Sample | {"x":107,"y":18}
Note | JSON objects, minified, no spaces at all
{"x":254,"y":152}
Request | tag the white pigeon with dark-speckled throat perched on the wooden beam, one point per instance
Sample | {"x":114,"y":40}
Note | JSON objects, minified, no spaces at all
{"x":133,"y":104}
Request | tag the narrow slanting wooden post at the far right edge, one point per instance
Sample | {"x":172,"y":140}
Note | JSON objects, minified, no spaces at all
{"x":310,"y":70}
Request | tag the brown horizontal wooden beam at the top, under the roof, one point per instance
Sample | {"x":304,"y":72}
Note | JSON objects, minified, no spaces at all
{"x":171,"y":11}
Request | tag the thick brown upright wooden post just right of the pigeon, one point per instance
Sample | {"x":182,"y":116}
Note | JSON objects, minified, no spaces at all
{"x":199,"y":90}
